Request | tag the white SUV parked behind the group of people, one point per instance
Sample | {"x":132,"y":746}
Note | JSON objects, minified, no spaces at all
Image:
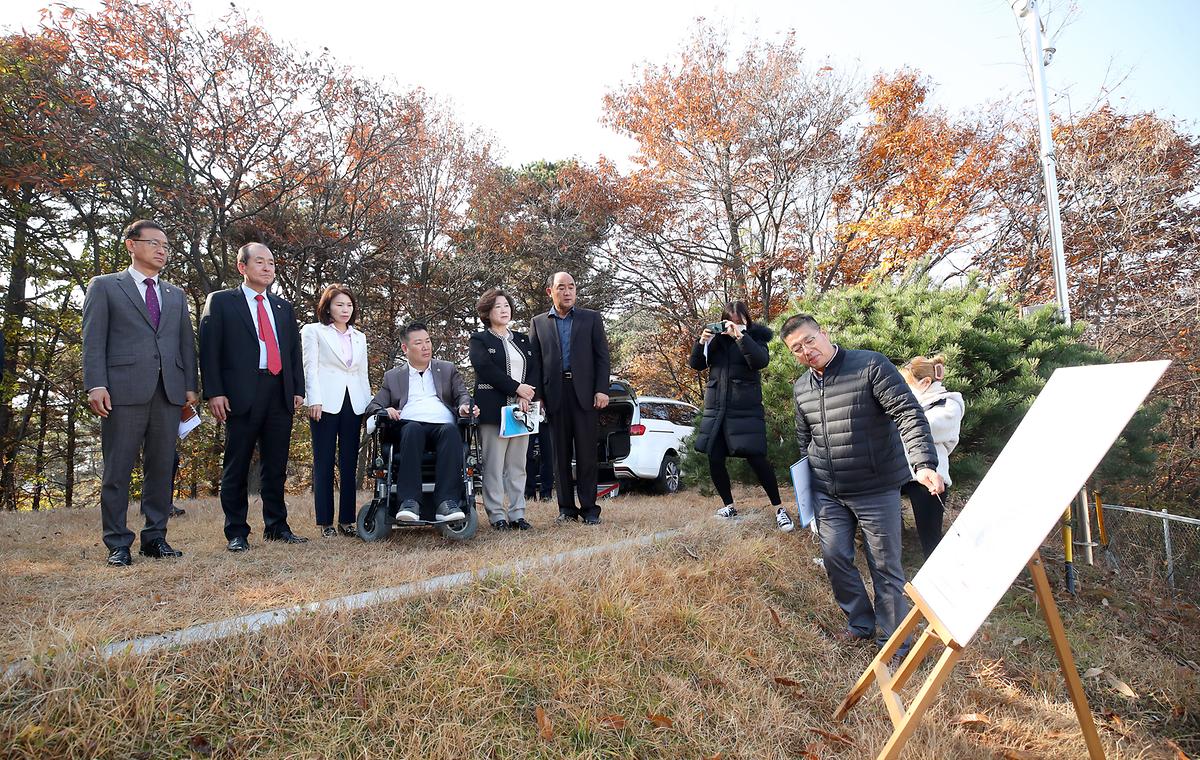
{"x":657,"y":442}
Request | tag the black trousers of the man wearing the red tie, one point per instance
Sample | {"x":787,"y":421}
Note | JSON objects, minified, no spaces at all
{"x":268,"y":426}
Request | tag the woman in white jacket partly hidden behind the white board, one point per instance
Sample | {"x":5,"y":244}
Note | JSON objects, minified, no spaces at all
{"x":944,"y":410}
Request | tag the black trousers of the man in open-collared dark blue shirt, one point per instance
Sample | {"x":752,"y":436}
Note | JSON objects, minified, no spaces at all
{"x":575,"y":432}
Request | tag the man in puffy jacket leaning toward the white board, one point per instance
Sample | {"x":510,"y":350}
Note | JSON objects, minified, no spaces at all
{"x":853,"y":412}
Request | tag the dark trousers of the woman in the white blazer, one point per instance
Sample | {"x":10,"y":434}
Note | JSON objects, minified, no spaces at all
{"x":335,"y":436}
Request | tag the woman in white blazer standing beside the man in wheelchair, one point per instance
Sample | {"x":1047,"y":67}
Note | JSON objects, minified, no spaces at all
{"x":338,"y":393}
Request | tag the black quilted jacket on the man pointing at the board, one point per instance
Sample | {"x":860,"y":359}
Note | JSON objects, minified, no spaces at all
{"x":851,"y":426}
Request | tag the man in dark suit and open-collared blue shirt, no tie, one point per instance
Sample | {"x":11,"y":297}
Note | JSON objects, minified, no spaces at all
{"x":574,"y":351}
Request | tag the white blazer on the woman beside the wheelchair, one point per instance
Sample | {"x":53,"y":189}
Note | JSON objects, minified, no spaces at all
{"x":327,"y":379}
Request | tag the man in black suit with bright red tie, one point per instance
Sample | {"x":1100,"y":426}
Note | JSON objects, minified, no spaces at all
{"x":254,"y":380}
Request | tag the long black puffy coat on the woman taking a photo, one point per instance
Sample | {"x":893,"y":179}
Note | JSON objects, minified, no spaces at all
{"x":734,"y":397}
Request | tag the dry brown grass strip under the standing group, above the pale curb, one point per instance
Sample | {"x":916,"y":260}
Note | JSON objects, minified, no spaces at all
{"x":58,"y":595}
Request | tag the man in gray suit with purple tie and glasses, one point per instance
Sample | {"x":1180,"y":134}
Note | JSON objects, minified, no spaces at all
{"x":140,"y":369}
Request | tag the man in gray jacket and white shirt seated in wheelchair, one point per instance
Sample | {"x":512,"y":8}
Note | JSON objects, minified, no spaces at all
{"x":424,"y":397}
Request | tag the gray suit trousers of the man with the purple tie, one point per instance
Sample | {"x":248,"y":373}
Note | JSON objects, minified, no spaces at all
{"x":153,"y":430}
